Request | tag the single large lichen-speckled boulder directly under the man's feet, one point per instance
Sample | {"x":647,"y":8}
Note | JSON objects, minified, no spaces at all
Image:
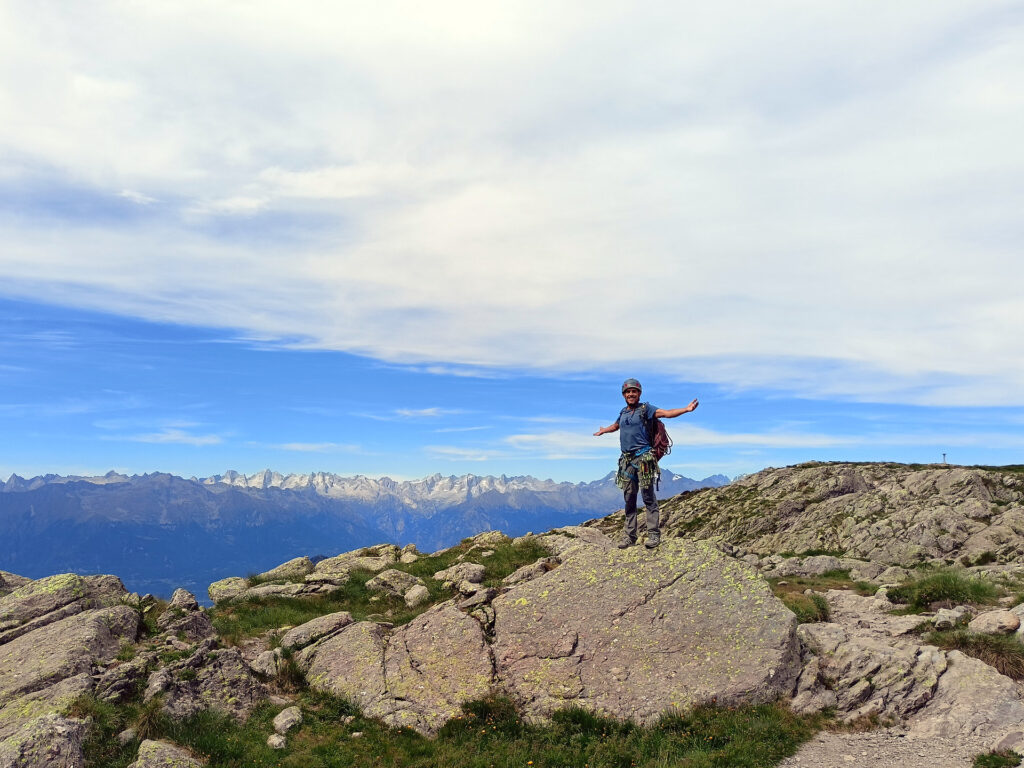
{"x":633,"y":634}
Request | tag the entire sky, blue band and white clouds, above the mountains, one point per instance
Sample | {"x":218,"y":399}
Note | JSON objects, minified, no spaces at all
{"x":408,"y":240}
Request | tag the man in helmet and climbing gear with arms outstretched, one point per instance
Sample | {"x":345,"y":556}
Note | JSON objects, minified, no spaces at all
{"x":637,"y":466}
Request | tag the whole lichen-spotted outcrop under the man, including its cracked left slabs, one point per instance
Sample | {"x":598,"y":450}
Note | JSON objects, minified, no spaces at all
{"x":673,"y":628}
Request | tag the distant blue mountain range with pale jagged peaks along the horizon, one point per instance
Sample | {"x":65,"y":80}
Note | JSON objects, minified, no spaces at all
{"x":159,"y":532}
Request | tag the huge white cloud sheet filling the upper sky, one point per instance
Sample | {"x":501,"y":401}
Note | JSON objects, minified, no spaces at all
{"x":820,"y":200}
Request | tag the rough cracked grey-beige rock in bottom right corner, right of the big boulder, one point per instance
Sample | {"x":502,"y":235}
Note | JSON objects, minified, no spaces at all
{"x":947,"y":708}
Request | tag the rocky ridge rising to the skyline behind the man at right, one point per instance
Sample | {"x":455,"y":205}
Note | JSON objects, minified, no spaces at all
{"x":888,"y":514}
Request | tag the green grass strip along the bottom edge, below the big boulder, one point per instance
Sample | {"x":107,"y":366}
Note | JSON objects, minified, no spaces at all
{"x":488,"y":734}
